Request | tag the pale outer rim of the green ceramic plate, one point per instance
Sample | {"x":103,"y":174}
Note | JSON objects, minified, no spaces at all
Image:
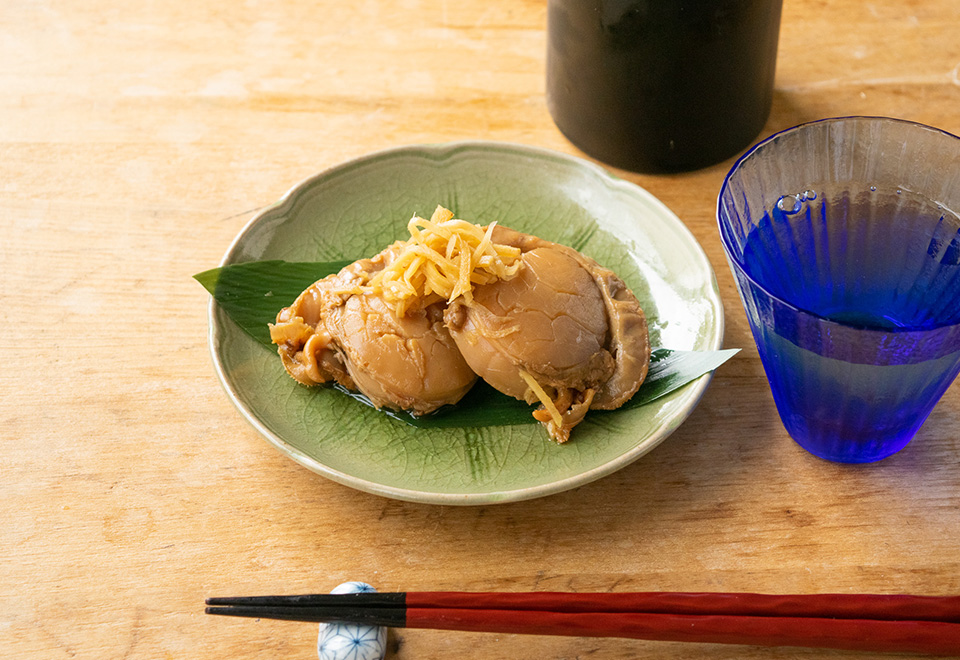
{"x":694,"y":390}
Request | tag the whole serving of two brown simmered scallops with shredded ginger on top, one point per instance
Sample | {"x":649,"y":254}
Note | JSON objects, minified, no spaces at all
{"x":413,"y":327}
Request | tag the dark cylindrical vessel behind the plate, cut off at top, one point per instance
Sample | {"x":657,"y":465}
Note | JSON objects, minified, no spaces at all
{"x":661,"y":85}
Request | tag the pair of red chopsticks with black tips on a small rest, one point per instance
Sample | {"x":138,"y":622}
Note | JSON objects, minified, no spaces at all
{"x":861,"y":622}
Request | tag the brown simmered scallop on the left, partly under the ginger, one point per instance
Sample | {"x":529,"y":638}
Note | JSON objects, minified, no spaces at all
{"x":334,"y":331}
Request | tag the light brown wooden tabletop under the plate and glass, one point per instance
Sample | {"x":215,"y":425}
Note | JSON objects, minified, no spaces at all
{"x":137,"y":139}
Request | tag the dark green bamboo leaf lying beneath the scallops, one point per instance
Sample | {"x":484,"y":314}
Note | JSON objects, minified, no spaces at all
{"x":252,"y":293}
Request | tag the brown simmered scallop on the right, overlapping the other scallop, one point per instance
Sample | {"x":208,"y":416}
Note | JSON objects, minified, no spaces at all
{"x":564,"y":331}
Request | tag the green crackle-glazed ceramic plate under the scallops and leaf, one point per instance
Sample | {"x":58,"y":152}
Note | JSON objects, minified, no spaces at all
{"x":355,"y":209}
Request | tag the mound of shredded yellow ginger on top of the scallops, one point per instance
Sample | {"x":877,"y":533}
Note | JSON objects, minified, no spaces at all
{"x":443,"y":260}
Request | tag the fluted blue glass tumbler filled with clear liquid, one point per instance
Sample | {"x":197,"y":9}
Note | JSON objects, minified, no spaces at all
{"x":846,"y":253}
